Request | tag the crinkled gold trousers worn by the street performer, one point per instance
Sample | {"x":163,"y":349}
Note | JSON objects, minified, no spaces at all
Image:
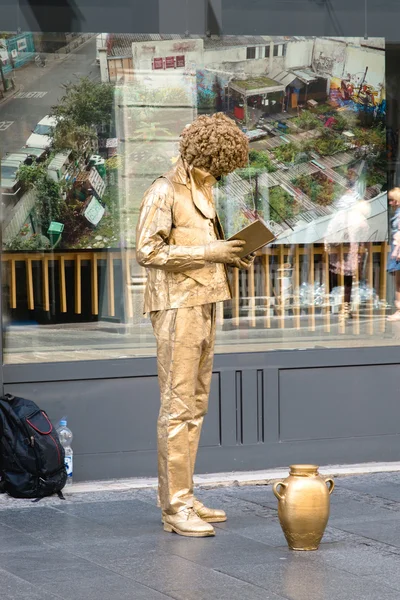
{"x":185,"y":352}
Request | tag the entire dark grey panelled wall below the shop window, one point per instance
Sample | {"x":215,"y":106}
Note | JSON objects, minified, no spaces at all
{"x":266,"y":410}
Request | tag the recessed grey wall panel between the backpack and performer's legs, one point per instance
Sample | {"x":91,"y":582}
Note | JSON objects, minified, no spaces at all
{"x":105,"y":415}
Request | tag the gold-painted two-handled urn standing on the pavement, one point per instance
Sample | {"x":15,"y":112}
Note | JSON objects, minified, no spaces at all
{"x":304,"y":506}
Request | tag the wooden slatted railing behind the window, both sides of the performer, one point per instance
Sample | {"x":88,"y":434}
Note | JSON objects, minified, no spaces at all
{"x":259,"y":295}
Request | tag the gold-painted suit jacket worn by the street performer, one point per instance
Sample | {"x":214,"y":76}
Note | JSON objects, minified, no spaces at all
{"x":177,"y":220}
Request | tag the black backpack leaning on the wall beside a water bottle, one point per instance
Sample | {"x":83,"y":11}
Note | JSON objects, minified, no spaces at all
{"x":31,"y":455}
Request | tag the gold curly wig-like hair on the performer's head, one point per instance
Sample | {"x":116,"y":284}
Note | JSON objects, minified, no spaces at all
{"x":214,"y":144}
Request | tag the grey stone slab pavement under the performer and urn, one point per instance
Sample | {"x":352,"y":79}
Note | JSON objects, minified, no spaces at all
{"x":111,"y":546}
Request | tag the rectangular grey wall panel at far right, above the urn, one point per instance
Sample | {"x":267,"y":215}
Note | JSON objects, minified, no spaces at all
{"x":339,"y":402}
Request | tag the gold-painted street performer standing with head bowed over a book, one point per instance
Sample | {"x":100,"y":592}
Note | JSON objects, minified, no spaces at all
{"x":180,"y":242}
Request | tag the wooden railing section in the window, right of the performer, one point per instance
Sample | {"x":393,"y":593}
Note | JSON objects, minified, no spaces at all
{"x":272,"y":263}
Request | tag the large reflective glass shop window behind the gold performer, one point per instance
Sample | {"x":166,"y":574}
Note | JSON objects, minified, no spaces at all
{"x":89,"y":121}
